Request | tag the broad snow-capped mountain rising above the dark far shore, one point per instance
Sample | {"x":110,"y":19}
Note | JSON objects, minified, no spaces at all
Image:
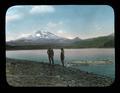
{"x":39,"y":37}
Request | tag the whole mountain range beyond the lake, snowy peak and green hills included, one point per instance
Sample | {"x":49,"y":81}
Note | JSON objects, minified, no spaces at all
{"x":44,"y":39}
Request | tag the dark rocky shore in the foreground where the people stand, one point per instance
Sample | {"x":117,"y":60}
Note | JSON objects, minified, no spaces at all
{"x":22,"y":73}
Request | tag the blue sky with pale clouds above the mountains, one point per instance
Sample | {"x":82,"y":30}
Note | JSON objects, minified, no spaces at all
{"x":70,"y":21}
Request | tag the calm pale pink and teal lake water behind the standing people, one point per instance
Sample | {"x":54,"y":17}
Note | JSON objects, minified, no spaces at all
{"x":73,"y":55}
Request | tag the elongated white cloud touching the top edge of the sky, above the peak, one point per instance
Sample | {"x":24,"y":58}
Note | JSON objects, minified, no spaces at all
{"x":42,"y":9}
